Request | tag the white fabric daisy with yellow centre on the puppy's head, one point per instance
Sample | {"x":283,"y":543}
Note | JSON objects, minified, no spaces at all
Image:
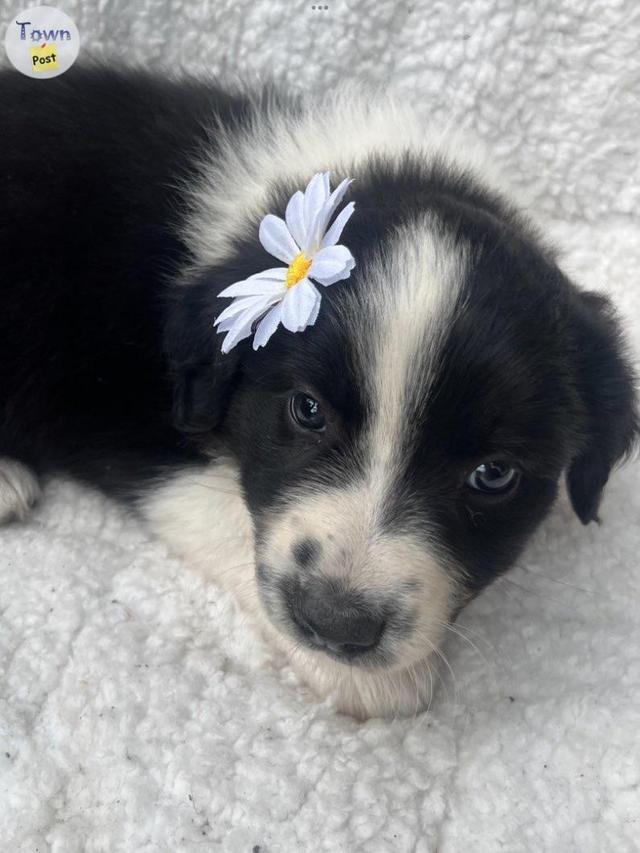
{"x":305,"y":242}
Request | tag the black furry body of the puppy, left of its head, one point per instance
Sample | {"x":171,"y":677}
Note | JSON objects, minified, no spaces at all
{"x":90,"y":169}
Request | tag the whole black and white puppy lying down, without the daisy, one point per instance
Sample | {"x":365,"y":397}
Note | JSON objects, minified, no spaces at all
{"x":357,"y":482}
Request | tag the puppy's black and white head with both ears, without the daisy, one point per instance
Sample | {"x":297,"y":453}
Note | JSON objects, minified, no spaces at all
{"x":397,"y":455}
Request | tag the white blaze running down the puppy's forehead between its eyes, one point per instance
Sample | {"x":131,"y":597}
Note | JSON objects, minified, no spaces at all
{"x":406,"y":304}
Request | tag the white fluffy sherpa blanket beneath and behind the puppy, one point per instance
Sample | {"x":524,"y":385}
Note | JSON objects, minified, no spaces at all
{"x":139,"y":711}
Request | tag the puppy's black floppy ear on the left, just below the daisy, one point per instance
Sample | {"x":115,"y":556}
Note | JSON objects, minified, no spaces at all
{"x":203,"y":377}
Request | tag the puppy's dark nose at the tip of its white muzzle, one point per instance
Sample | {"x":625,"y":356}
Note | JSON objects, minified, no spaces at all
{"x":337,"y":623}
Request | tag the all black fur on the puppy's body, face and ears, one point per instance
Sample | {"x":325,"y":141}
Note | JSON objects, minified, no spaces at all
{"x":111,"y":371}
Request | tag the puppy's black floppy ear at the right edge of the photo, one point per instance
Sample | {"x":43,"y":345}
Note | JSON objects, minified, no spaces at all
{"x":606,"y":385}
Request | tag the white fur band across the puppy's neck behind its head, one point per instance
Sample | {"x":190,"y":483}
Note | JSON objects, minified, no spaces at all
{"x":339,"y":132}
